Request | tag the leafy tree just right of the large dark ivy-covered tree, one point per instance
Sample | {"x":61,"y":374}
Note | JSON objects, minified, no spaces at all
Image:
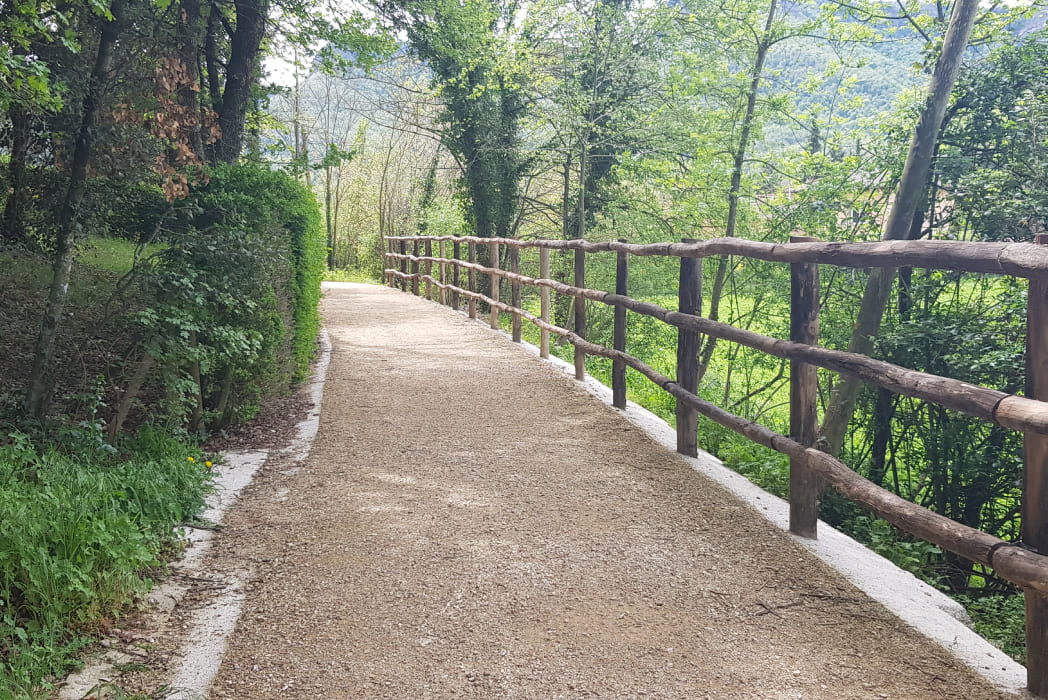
{"x":601,"y":90}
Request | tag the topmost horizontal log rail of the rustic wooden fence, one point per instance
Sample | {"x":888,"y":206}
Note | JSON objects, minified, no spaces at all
{"x":1025,"y":260}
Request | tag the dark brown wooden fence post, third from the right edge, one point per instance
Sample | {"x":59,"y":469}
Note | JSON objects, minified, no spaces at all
{"x":689,"y":301}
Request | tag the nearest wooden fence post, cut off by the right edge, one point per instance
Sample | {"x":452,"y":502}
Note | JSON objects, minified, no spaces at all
{"x":1036,"y":482}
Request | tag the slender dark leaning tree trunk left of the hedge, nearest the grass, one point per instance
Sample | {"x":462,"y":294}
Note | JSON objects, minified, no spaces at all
{"x":39,"y":393}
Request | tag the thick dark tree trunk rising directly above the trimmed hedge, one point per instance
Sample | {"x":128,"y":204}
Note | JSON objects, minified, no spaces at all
{"x":241,"y":73}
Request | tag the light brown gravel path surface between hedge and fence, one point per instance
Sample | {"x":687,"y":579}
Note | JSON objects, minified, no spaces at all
{"x":471,"y":524}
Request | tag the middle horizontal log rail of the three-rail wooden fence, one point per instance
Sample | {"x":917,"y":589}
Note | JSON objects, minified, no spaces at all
{"x":996,"y":407}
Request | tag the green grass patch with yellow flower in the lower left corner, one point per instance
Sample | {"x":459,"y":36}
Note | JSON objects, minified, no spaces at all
{"x":82,"y":531}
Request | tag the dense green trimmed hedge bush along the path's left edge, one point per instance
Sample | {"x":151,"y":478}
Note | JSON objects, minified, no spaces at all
{"x":234,"y":297}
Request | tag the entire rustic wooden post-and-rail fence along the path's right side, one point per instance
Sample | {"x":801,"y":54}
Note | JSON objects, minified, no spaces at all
{"x":410,"y":260}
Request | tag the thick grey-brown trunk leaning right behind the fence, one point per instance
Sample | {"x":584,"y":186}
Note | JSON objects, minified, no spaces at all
{"x":909,"y":194}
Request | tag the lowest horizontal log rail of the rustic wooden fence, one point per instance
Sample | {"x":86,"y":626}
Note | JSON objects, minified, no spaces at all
{"x":1011,"y":561}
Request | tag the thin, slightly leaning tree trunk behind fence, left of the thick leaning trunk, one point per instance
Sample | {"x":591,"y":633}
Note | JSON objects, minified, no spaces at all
{"x":738,"y":163}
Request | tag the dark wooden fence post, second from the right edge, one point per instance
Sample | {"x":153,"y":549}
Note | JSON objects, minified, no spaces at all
{"x":804,"y":487}
